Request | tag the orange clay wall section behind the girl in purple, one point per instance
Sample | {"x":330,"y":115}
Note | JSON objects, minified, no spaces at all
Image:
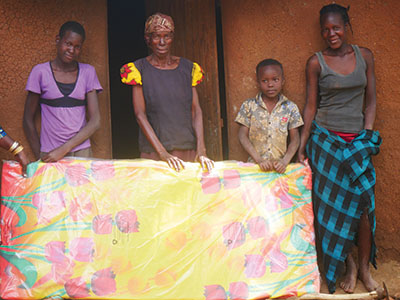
{"x":28,"y":29}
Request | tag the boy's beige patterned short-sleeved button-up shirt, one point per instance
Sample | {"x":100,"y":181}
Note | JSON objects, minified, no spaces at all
{"x":268,"y":131}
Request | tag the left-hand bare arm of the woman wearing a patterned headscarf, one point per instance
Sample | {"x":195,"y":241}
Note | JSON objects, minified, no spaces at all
{"x":141,"y":117}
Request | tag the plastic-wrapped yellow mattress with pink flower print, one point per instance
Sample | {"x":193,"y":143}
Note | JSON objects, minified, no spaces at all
{"x":136,"y":229}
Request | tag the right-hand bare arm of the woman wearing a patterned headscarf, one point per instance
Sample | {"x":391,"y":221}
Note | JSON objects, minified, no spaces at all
{"x":197,"y":124}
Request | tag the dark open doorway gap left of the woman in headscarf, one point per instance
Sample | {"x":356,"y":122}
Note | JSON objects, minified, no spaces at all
{"x":126,"y":44}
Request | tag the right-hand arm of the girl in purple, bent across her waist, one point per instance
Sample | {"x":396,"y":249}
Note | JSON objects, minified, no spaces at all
{"x":86,"y":132}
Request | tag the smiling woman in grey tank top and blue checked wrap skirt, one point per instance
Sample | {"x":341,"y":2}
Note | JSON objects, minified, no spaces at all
{"x":338,"y":119}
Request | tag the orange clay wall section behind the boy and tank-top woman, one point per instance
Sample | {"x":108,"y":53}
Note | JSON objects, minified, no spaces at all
{"x":288,"y":30}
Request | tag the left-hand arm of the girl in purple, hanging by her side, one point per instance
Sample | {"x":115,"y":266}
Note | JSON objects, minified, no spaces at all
{"x":31,"y":106}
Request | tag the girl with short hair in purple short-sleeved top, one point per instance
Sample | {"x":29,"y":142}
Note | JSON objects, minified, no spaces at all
{"x":64,"y":89}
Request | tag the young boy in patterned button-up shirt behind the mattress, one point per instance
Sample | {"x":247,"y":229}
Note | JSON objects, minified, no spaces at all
{"x":266,"y":120}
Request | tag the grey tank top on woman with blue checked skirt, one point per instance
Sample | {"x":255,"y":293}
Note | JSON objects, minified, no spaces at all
{"x":341,"y":101}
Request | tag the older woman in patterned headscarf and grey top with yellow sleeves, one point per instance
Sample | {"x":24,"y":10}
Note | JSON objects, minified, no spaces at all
{"x":165,"y":100}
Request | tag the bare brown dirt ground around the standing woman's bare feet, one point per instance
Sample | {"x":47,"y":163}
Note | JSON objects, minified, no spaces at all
{"x":388,"y":271}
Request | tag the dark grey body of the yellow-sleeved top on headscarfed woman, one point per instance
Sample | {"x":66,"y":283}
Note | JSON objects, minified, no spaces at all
{"x":168,"y":98}
